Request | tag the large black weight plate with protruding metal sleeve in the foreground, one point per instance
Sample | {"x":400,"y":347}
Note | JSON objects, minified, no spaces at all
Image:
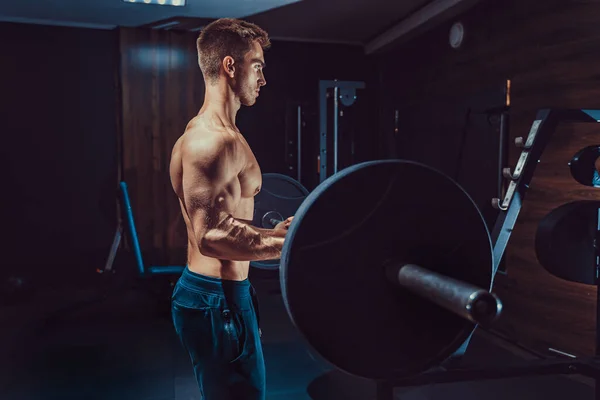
{"x":387,"y":269}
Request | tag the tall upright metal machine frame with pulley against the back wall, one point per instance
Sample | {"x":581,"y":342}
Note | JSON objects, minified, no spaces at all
{"x":344,"y":92}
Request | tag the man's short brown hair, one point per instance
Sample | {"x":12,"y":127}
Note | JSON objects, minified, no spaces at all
{"x":226,"y":37}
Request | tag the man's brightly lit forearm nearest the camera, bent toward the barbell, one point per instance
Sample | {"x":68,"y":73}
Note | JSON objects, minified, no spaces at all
{"x":233,"y":239}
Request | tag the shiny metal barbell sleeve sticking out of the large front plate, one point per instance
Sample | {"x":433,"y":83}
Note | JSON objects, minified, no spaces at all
{"x":464,"y":299}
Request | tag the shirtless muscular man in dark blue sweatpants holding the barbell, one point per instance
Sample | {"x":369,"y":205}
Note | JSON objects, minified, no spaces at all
{"x":216,"y":176}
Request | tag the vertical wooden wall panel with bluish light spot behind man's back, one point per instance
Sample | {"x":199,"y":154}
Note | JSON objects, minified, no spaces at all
{"x":162,"y":89}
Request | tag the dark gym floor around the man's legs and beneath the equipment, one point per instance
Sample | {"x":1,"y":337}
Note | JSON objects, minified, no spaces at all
{"x":121,"y":345}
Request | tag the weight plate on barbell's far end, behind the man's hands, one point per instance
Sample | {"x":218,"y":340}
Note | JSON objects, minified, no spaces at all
{"x":279,"y":195}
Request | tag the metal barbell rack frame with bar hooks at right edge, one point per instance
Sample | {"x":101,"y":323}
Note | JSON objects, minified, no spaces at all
{"x":541,"y":131}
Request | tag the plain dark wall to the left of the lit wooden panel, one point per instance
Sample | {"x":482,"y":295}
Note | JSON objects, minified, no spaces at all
{"x":59,"y":130}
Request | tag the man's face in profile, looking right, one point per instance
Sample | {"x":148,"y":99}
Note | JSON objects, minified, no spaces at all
{"x":250,"y":76}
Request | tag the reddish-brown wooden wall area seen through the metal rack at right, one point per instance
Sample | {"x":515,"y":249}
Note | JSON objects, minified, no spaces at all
{"x":542,"y":310}
